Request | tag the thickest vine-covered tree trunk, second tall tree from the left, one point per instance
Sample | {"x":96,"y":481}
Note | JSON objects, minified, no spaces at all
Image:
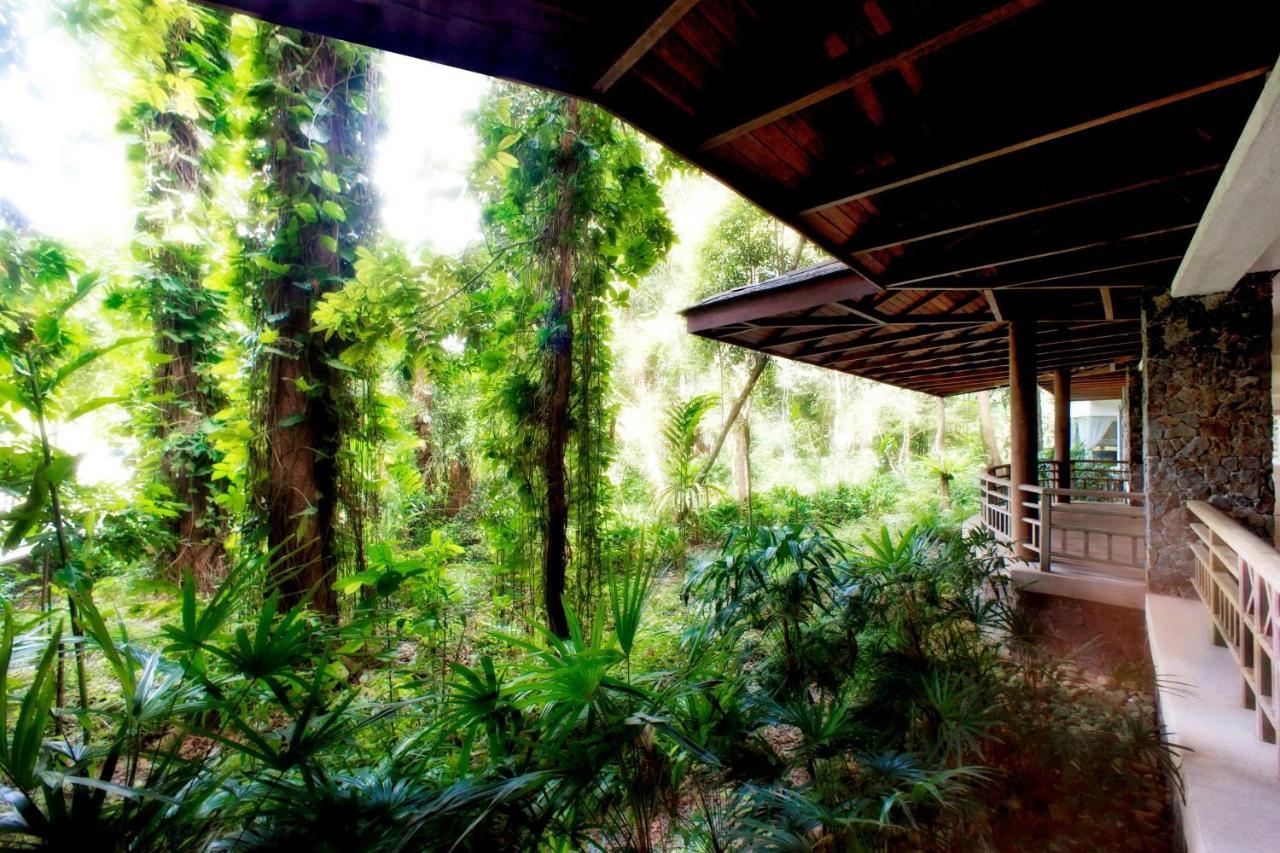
{"x":314,"y":102}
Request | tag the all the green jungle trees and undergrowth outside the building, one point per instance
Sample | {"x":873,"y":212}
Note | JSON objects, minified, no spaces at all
{"x":802,"y":688}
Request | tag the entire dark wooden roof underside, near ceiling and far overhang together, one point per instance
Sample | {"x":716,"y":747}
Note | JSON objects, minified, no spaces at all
{"x":1039,"y":156}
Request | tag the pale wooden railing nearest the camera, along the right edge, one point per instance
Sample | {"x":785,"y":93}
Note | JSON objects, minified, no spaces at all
{"x":1238,"y":578}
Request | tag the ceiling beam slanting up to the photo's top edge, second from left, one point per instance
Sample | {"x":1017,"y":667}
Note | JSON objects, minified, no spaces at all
{"x":888,"y":62}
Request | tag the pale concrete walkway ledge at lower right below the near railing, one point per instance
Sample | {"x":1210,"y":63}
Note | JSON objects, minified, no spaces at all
{"x":1232,"y":778}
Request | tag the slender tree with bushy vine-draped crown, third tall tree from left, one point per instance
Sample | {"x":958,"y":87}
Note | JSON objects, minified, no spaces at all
{"x":577,"y":213}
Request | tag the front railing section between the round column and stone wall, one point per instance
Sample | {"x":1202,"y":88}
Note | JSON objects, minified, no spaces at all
{"x":1095,"y":528}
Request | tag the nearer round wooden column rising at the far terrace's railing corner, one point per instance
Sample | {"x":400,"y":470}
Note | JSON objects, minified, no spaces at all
{"x":1023,"y":427}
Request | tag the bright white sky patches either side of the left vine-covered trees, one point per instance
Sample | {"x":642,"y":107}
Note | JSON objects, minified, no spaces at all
{"x":63,"y":166}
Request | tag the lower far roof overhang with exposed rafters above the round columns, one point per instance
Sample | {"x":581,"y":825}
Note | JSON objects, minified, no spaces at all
{"x":934,"y":341}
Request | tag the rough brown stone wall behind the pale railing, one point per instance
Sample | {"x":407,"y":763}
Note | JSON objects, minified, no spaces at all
{"x":1206,"y":418}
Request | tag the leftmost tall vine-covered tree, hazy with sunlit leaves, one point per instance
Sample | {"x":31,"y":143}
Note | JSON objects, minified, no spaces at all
{"x":176,"y":110}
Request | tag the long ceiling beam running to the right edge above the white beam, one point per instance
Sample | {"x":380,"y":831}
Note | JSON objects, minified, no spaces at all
{"x":877,"y":184}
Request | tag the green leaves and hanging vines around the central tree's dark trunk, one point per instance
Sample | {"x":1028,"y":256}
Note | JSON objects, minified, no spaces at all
{"x":614,"y":229}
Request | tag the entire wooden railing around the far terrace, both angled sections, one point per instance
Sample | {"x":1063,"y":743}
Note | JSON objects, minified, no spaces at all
{"x":1096,"y":528}
